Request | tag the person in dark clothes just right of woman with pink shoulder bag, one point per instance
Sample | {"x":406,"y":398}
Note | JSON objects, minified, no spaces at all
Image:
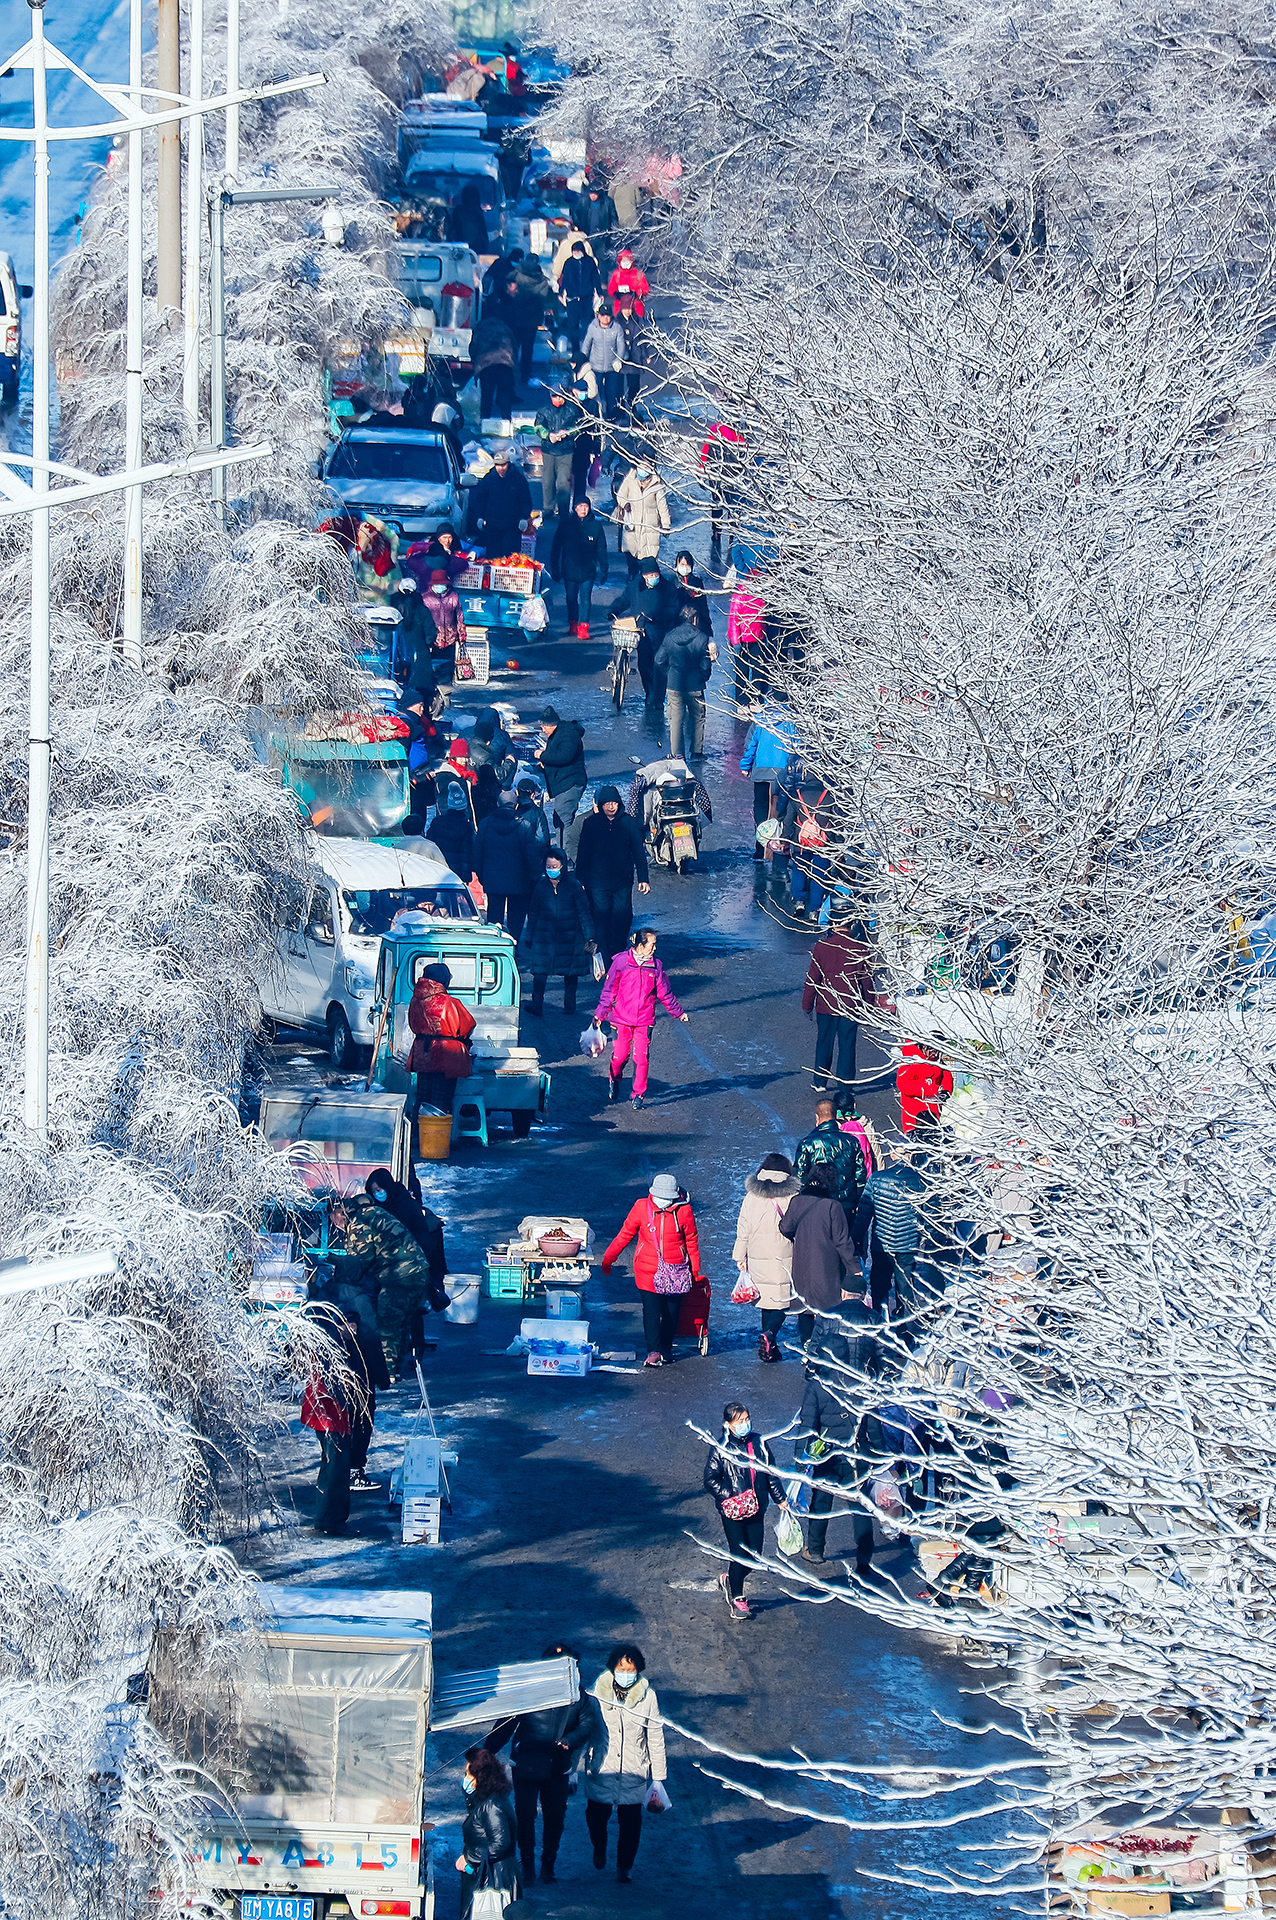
{"x":834,"y":1433}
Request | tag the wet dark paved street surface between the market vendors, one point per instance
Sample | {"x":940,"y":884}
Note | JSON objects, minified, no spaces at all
{"x":579,"y":1504}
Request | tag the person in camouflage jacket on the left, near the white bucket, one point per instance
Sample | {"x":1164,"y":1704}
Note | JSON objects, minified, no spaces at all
{"x":394,"y":1253}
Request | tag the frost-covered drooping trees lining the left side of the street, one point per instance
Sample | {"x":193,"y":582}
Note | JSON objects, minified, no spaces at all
{"x":137,"y":1408}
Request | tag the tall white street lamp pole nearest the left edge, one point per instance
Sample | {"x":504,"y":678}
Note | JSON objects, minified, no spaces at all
{"x":35,"y":1084}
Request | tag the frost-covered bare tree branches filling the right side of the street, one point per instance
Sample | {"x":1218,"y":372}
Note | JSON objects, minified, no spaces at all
{"x":991,"y":306}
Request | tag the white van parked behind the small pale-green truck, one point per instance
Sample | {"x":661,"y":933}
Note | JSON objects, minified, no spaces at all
{"x":325,"y":963}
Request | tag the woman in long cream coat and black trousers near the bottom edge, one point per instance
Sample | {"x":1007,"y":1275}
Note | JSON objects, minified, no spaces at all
{"x":625,"y":1756}
